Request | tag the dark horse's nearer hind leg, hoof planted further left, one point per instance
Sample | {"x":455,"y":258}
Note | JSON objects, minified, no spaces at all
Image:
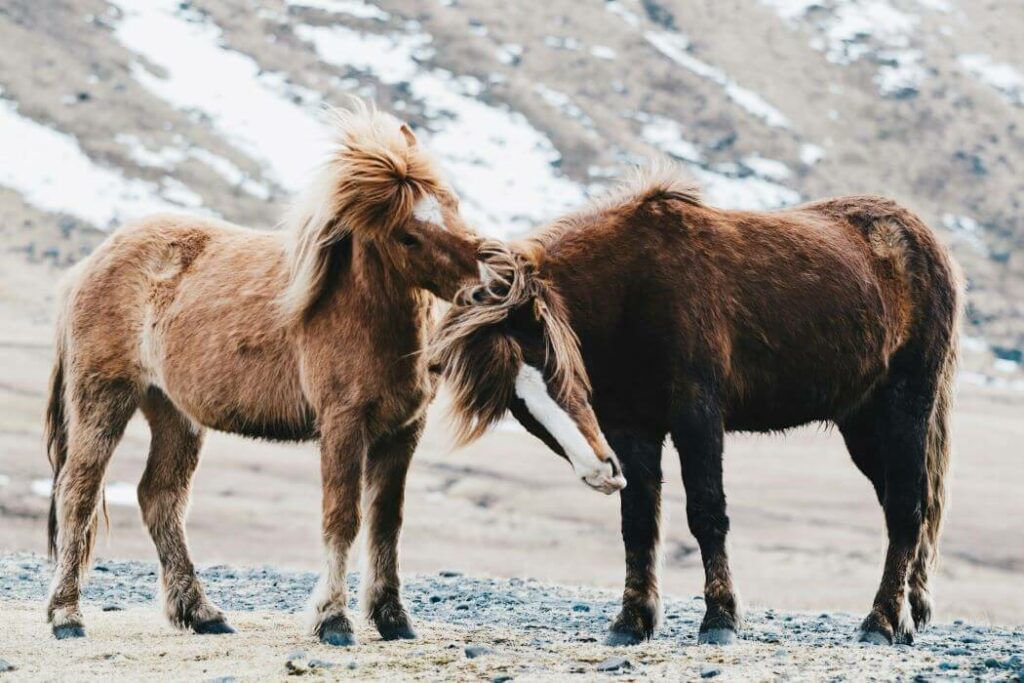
{"x":903,"y":424}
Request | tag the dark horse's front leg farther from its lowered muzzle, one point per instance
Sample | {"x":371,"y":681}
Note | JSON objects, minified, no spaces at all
{"x":698,"y":433}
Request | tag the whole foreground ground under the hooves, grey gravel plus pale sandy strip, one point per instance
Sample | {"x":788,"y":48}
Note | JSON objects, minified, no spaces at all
{"x":471,"y":629}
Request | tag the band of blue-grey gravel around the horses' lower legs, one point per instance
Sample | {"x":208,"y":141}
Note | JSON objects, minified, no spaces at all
{"x":542,"y":614}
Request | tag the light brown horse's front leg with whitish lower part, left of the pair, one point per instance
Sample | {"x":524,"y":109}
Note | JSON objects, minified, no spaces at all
{"x":344,"y":450}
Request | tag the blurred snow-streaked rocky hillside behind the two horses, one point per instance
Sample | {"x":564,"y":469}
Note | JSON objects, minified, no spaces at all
{"x":112,"y":109}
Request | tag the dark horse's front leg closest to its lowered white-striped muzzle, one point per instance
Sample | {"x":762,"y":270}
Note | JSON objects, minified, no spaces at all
{"x":642,"y":509}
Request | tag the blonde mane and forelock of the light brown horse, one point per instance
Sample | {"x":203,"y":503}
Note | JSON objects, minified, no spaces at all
{"x":368,"y":186}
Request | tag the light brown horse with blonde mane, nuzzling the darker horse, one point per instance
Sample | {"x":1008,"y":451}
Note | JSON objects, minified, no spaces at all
{"x":311,"y":333}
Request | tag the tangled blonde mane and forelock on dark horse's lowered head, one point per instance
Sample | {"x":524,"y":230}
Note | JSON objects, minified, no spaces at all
{"x":477,"y":356}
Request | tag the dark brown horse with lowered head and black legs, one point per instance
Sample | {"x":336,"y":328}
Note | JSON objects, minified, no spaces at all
{"x":695,"y":322}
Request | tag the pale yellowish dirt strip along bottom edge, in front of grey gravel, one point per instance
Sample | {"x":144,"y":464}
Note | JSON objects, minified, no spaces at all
{"x":274,"y":647}
